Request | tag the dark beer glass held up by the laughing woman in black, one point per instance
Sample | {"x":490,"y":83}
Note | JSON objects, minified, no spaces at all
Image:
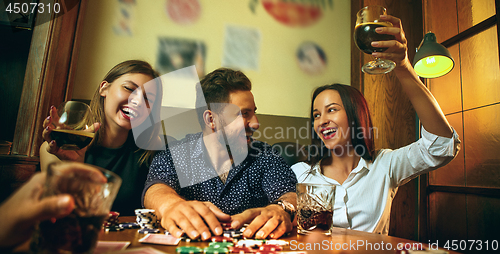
{"x":72,"y":132}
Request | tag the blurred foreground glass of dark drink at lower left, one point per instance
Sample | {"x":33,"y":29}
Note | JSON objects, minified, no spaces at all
{"x":93,"y":189}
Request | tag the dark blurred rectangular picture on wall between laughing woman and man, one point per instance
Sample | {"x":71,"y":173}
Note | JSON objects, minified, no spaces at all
{"x":176,"y":53}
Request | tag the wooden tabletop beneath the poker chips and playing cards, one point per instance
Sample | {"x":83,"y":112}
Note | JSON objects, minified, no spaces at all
{"x":341,"y":241}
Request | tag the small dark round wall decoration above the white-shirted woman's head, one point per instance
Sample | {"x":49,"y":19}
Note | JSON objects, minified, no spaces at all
{"x":311,"y":58}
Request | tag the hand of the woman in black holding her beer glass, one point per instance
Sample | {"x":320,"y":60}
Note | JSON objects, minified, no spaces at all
{"x":51,"y":123}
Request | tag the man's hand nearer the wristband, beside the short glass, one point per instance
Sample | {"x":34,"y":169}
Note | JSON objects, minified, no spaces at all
{"x":270,"y":221}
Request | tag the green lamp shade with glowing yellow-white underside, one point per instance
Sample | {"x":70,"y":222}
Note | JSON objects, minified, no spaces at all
{"x":432,"y":59}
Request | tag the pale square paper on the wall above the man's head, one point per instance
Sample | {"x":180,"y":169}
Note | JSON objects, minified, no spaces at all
{"x":241,"y":48}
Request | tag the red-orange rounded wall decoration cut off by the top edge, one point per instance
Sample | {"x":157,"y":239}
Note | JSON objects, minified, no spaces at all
{"x":296,"y":13}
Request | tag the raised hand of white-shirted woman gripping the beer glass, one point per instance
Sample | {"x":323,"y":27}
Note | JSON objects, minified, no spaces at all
{"x":397,"y":50}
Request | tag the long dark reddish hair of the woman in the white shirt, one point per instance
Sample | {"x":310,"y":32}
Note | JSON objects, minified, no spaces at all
{"x":360,"y":123}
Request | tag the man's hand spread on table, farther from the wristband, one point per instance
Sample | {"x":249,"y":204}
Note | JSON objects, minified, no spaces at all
{"x":195,"y":218}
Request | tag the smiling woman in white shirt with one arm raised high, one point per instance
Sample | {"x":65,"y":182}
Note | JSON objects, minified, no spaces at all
{"x":367,"y":180}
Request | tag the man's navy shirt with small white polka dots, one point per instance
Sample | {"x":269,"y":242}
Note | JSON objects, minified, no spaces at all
{"x":260,"y":179}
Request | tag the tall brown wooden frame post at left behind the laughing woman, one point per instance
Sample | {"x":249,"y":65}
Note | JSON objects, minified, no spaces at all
{"x":46,"y":78}
